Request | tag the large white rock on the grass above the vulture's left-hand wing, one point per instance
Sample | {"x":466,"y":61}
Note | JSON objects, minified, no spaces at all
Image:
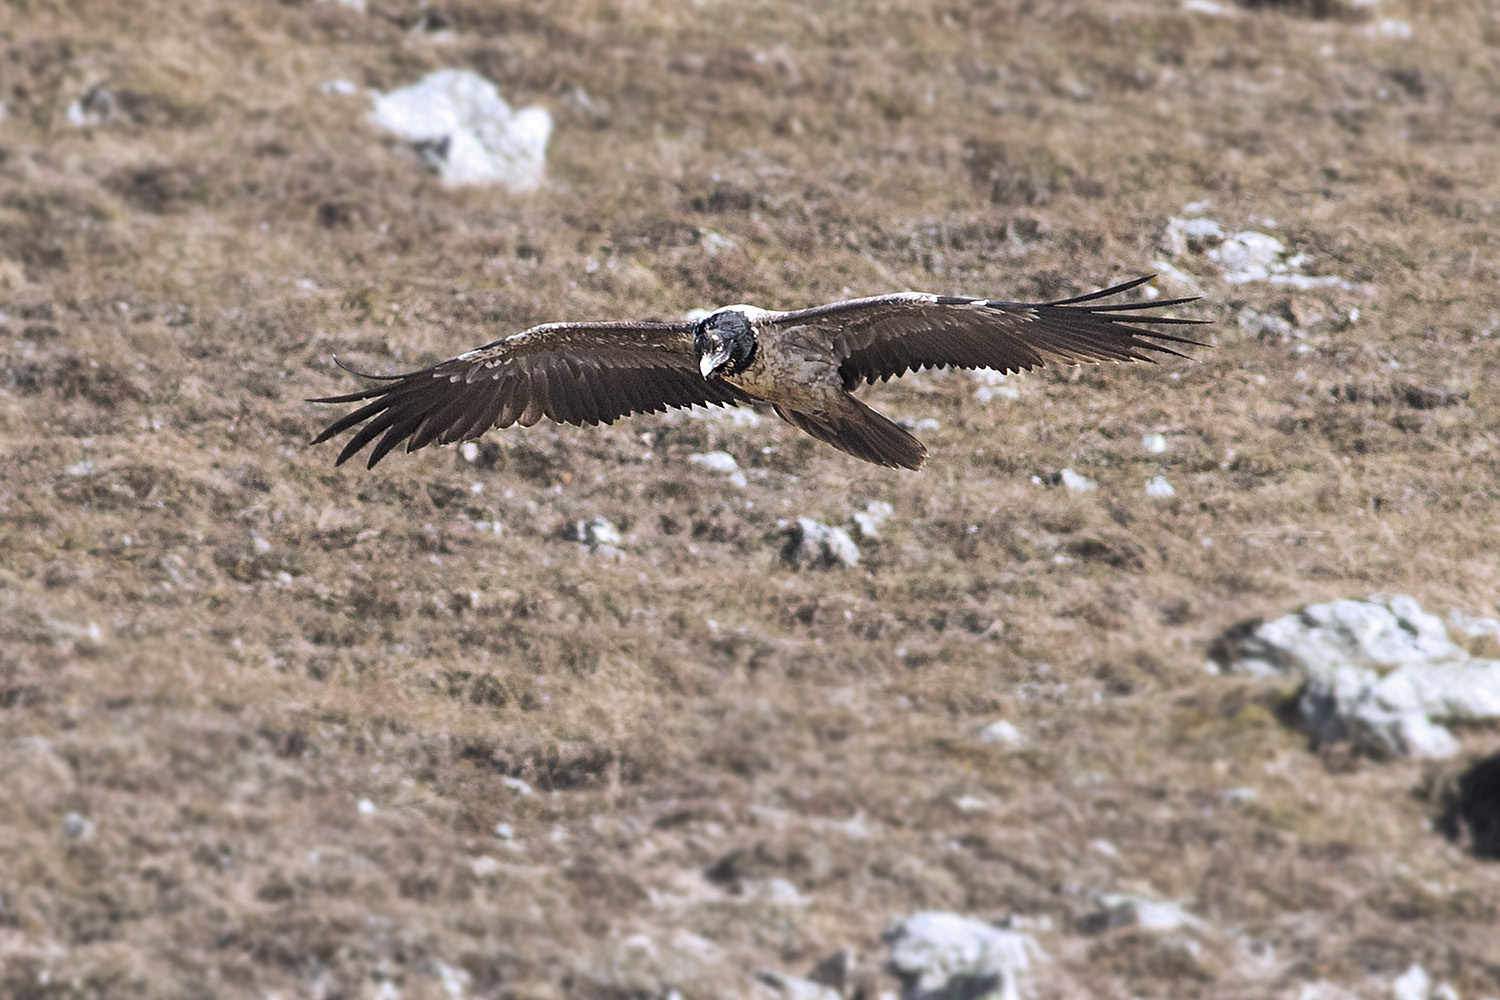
{"x":467,"y":133}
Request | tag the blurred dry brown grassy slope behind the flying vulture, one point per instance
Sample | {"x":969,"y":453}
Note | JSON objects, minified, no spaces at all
{"x":565,"y":714}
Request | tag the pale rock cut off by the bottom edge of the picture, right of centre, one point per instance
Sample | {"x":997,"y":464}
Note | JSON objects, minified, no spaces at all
{"x":949,"y":957}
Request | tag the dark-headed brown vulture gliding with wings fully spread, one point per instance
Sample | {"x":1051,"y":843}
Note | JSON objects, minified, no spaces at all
{"x":803,"y":364}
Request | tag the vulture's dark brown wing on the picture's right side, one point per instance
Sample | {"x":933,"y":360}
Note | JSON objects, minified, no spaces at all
{"x":892,"y":335}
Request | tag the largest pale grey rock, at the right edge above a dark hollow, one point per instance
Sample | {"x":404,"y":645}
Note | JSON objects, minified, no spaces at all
{"x":1381,"y":672}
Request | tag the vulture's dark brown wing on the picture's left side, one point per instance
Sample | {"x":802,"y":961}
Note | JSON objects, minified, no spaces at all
{"x":571,"y":373}
